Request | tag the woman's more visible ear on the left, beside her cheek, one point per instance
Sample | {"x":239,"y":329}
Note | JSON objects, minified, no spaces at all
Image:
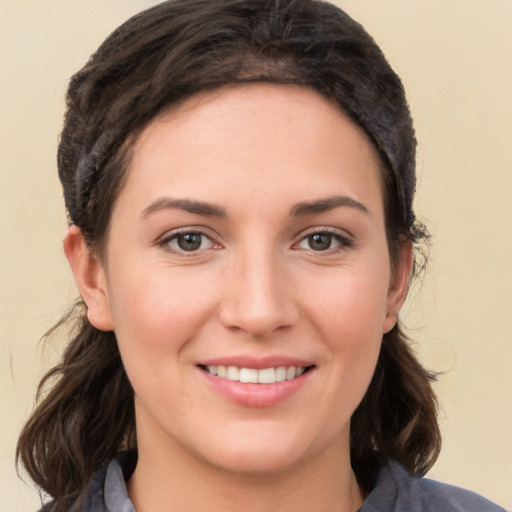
{"x":90,"y":278}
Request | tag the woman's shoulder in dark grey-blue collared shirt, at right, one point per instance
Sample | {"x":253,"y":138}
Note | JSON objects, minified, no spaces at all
{"x":398,"y":491}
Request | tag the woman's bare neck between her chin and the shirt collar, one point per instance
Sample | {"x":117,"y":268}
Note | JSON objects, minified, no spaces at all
{"x":175,"y":480}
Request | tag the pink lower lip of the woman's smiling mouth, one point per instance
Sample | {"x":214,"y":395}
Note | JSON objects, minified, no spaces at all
{"x":256,"y":395}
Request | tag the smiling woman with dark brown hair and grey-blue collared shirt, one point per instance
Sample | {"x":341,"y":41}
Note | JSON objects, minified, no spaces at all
{"x":239,"y":178}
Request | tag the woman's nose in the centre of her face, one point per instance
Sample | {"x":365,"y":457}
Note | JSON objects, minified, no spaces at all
{"x":258,"y":296}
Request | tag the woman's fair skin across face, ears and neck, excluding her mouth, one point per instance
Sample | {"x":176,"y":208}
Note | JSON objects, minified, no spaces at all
{"x":255,"y":287}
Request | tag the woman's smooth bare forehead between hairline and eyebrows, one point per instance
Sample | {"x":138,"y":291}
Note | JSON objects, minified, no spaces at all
{"x":252,"y":140}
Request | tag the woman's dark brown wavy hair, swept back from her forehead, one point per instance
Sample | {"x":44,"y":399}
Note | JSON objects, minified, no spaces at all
{"x":159,"y":58}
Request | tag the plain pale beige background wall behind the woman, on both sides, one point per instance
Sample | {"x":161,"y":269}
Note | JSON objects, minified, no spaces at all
{"x":455,"y":57}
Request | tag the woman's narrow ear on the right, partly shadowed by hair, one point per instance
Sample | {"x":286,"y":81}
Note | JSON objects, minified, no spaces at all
{"x":399,"y":286}
